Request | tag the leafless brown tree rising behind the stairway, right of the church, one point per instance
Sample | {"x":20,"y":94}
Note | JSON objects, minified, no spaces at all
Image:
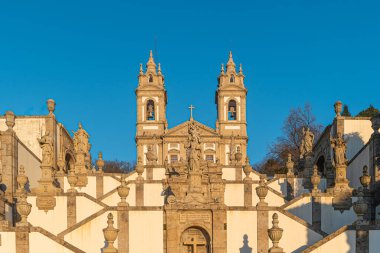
{"x":290,"y":141}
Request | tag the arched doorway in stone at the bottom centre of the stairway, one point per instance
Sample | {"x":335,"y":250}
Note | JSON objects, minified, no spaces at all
{"x":195,"y":240}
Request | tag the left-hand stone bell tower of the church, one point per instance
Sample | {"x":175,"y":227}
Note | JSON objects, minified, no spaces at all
{"x":151,"y":99}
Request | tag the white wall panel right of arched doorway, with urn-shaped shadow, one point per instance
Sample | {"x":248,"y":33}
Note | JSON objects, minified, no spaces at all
{"x":239,"y":224}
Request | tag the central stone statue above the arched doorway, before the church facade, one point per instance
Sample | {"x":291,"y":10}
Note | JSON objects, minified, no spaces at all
{"x":193,"y":148}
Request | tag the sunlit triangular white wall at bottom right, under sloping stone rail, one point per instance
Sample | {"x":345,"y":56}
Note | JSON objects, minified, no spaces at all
{"x":345,"y":242}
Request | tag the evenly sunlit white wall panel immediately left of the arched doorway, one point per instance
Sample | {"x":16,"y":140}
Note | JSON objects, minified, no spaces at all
{"x":145,"y":231}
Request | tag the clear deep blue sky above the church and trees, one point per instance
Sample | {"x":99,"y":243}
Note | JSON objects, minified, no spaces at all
{"x":86,"y":55}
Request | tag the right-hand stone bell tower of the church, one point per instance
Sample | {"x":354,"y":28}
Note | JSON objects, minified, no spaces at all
{"x":231,"y":121}
